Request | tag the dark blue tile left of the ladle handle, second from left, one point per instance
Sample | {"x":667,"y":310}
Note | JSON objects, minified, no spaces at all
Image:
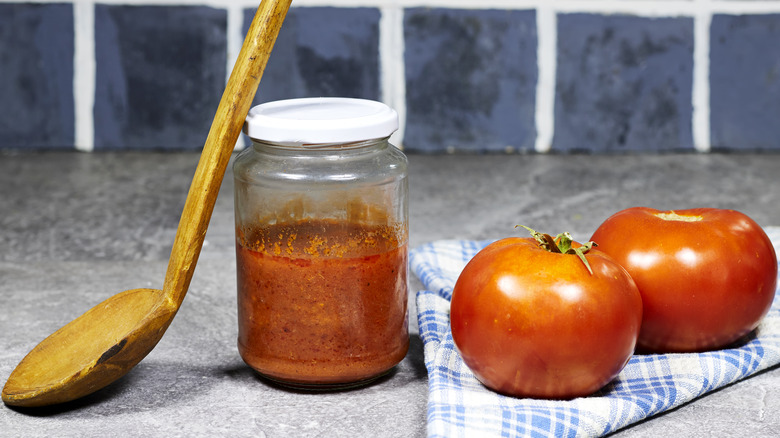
{"x":160,"y":75}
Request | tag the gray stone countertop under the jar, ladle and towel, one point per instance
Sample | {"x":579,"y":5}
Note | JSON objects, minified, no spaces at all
{"x":77,"y":228}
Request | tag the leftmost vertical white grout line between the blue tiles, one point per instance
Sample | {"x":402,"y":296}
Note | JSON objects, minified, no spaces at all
{"x":84,"y":74}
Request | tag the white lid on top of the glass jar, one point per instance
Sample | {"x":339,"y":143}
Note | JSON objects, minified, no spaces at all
{"x":320,"y":120}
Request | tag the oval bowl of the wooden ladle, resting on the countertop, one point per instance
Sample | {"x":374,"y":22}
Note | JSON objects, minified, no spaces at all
{"x":92,"y":351}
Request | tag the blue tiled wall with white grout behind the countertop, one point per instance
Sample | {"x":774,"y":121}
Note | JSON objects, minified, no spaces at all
{"x":465,"y":77}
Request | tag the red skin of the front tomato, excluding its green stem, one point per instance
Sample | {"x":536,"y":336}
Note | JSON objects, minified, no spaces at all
{"x":531,"y":323}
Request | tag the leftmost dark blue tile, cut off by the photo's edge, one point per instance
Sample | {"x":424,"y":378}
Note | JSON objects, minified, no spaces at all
{"x":36,"y":76}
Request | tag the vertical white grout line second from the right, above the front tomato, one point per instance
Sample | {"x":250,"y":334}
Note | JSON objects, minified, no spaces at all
{"x":546,"y":54}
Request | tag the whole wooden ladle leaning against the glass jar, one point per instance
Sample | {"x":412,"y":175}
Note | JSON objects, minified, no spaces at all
{"x":108,"y":340}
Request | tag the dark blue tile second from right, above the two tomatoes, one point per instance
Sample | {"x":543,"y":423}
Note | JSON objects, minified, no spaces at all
{"x":624,"y":83}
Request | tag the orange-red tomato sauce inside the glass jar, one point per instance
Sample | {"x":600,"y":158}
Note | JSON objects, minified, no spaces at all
{"x":322,"y":303}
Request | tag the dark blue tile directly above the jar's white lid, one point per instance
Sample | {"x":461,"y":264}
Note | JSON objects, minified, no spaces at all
{"x":329,"y":52}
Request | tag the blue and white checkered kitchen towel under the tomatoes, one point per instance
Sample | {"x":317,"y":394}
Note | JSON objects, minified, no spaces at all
{"x":458,"y":405}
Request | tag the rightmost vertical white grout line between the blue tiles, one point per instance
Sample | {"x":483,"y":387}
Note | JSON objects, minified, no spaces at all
{"x":701,"y":77}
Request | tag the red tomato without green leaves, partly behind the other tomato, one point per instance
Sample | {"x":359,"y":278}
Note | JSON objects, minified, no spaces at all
{"x":707,"y":276}
